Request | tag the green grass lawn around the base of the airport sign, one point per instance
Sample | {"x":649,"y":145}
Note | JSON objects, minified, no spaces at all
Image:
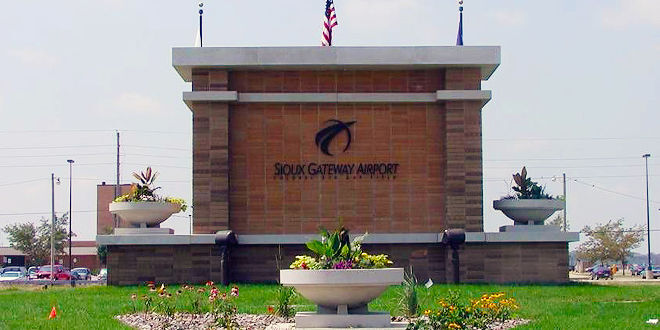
{"x":577,"y":306}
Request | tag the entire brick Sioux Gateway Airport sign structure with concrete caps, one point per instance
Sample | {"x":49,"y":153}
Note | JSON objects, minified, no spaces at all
{"x":288,"y":139}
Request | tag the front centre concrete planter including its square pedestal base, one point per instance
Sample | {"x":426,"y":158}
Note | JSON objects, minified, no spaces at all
{"x":342,"y":295}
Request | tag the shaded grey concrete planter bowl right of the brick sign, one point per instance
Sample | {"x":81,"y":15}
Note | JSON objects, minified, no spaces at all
{"x":528,"y":211}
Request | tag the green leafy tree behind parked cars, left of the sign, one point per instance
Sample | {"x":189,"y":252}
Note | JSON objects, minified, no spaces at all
{"x":34,"y":241}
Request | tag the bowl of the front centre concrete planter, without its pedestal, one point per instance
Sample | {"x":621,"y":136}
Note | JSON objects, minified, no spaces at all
{"x":330,"y":288}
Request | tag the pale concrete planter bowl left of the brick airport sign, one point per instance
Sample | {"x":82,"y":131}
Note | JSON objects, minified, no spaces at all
{"x":144,"y":214}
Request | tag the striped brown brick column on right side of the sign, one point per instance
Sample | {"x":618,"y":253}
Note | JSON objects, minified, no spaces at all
{"x":464,"y":188}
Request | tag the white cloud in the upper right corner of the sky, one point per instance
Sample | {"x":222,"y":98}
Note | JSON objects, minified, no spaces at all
{"x":631,"y":12}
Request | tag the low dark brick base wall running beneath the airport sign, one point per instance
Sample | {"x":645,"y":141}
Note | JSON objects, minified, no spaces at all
{"x":479,"y":263}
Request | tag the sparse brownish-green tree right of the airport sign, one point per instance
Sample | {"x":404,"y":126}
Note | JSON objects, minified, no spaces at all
{"x":610,"y":241}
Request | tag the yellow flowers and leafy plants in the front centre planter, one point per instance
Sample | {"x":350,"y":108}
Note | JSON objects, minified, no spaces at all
{"x":336,"y":251}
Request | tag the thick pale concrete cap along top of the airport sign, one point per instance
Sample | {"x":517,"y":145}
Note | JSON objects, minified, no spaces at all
{"x":334,"y":58}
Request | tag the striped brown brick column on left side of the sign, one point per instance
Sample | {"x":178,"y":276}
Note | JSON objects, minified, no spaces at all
{"x":210,"y":156}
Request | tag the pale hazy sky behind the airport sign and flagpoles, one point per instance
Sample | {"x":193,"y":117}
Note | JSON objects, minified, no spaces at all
{"x":577,"y":93}
